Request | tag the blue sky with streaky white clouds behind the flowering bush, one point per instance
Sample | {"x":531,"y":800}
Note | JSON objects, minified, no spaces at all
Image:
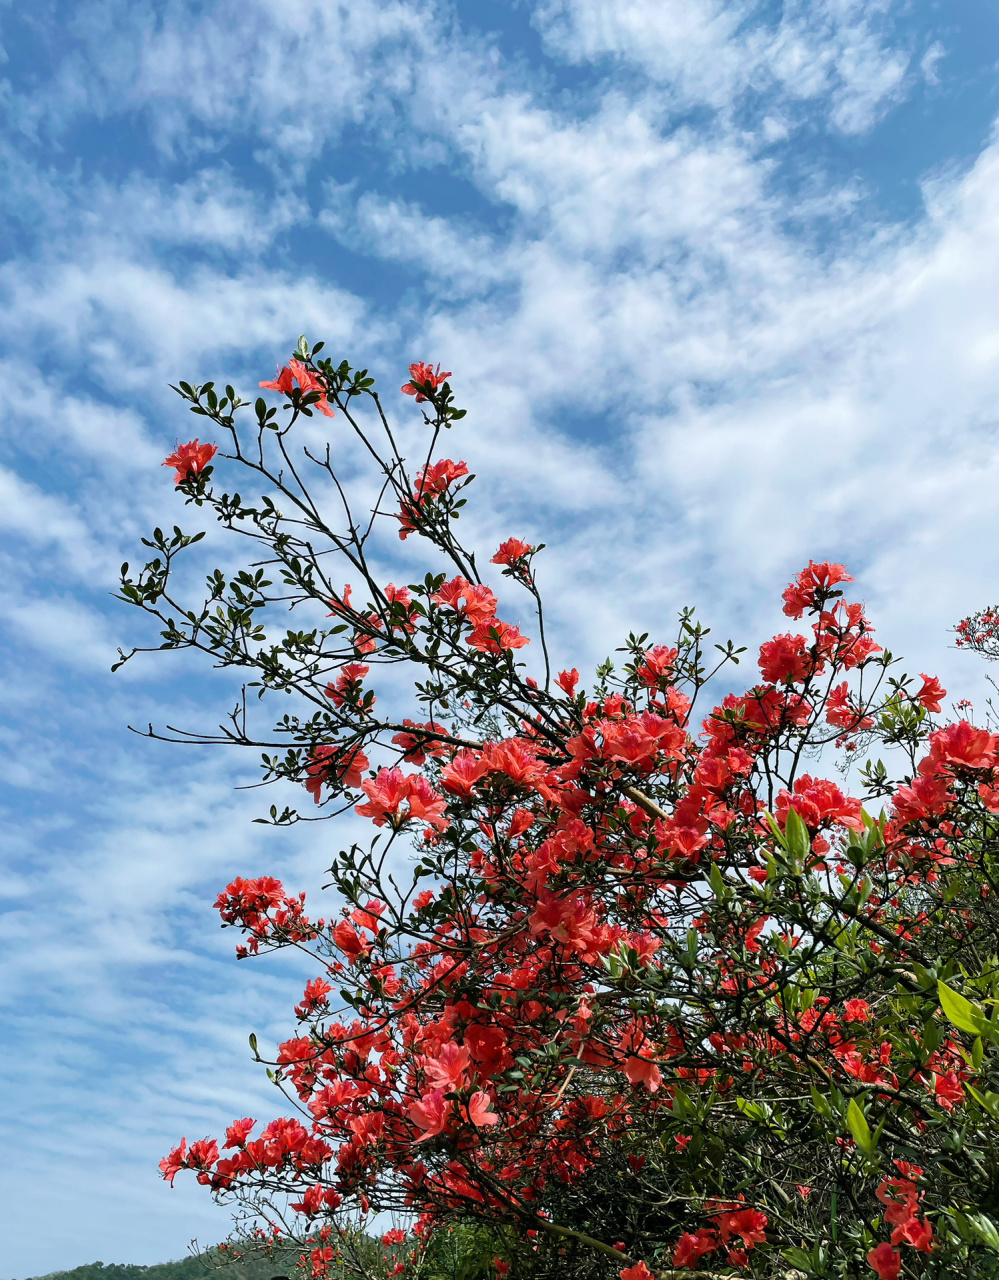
{"x":719,"y":285}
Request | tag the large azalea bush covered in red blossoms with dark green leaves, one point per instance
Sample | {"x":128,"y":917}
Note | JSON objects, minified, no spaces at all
{"x":629,"y":981}
